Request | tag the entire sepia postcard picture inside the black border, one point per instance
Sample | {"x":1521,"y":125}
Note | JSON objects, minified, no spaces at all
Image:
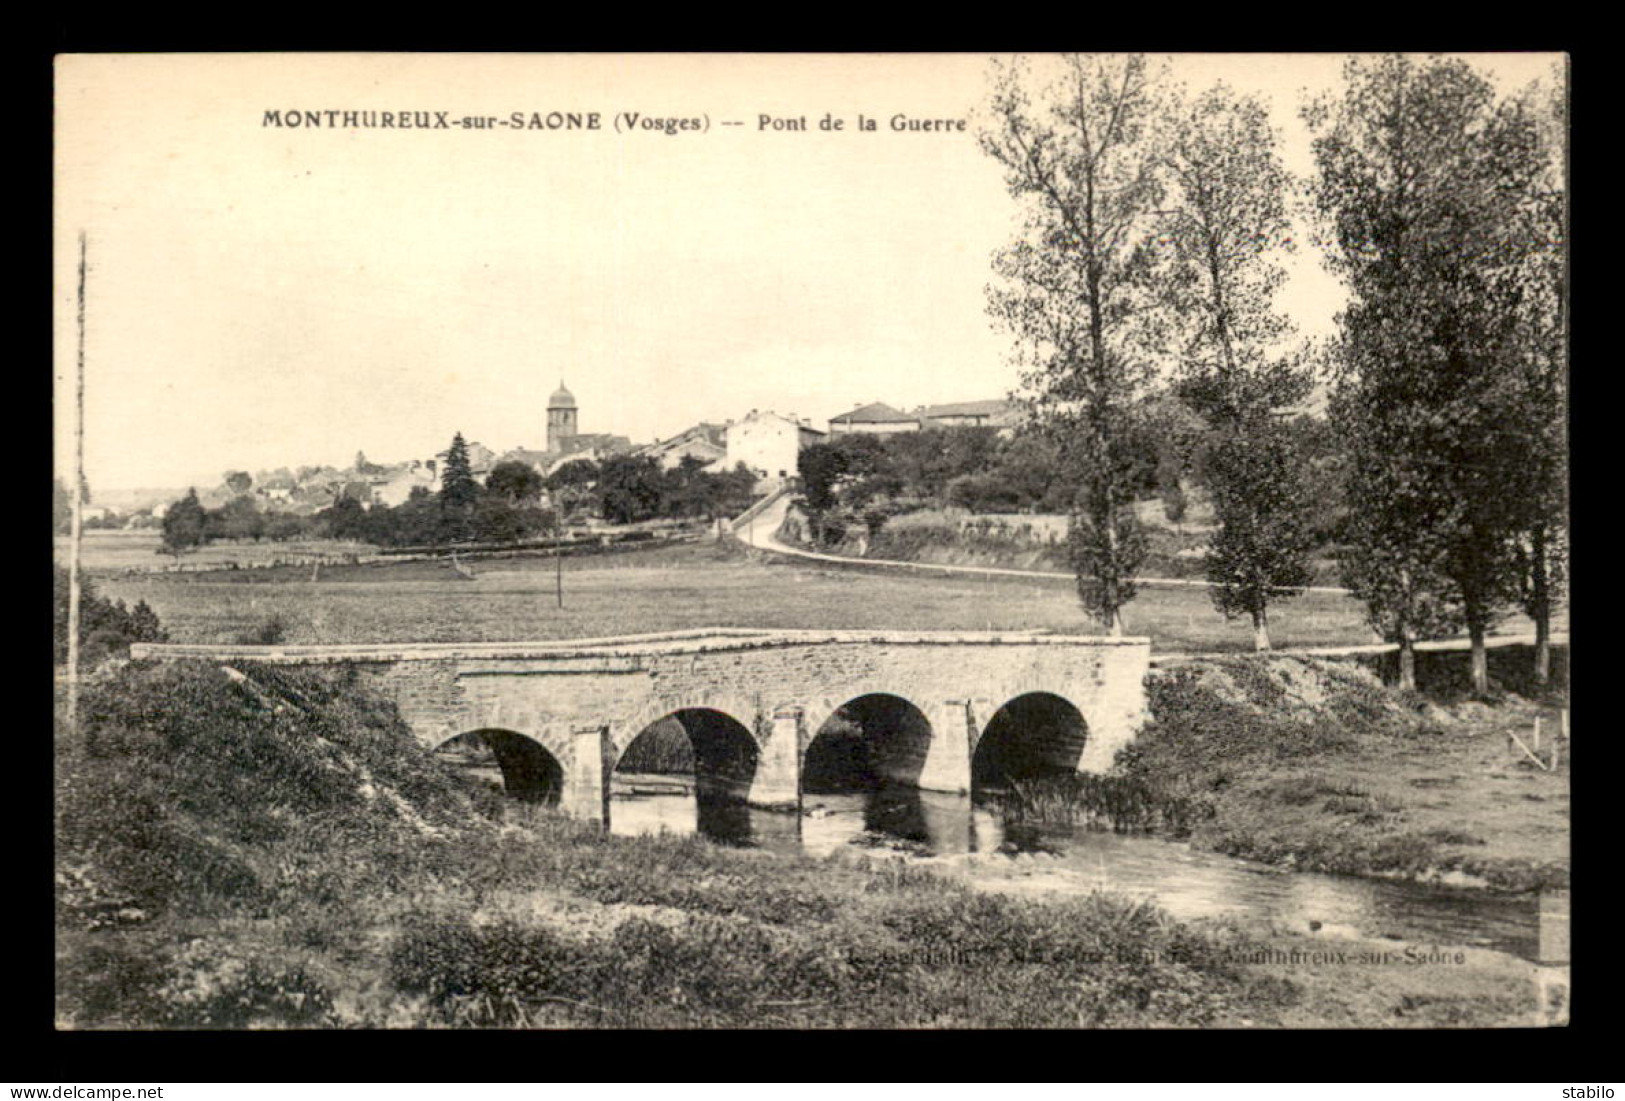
{"x":812,"y":542}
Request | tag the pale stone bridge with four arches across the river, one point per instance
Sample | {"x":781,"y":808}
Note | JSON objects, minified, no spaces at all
{"x":769,"y":691}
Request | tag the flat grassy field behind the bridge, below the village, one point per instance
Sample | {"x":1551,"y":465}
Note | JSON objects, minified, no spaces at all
{"x":703,"y":585}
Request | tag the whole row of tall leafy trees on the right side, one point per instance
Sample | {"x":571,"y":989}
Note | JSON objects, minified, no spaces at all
{"x":1156,"y":225}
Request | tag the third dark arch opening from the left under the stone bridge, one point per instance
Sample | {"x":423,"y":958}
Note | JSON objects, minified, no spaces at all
{"x":878,"y":740}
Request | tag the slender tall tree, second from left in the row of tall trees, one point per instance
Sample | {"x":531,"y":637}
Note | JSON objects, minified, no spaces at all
{"x":1226,"y":228}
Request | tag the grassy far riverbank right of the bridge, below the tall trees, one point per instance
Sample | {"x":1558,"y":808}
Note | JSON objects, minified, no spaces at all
{"x":1317,"y":766}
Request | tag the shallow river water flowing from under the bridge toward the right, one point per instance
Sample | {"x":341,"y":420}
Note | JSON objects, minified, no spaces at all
{"x":1025,"y":860}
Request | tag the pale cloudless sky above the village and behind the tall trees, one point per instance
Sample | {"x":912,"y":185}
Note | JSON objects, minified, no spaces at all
{"x":267,"y":296}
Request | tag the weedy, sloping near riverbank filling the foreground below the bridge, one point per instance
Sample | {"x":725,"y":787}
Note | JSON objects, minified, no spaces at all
{"x":277,"y":852}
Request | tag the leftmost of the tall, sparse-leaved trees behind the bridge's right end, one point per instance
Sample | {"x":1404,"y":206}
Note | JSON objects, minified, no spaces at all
{"x":1077,"y":287}
